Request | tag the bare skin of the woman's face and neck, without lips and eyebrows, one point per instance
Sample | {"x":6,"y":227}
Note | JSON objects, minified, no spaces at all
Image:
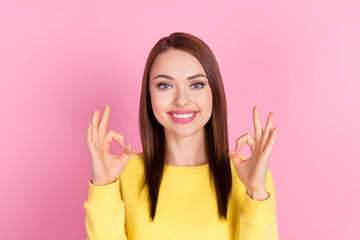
{"x":185,"y":142}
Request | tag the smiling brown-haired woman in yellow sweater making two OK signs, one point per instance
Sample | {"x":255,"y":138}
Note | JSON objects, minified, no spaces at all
{"x":183,"y":185}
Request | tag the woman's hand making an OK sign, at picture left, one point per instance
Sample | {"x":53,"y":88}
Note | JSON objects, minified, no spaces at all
{"x":106,"y":168}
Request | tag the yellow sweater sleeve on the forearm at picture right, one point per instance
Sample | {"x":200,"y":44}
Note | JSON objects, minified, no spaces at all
{"x":259,"y":219}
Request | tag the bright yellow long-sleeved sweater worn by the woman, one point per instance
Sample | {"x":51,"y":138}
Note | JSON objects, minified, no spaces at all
{"x":186,"y":208}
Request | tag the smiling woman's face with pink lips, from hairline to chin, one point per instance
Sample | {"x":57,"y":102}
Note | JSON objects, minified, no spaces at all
{"x":180,"y":93}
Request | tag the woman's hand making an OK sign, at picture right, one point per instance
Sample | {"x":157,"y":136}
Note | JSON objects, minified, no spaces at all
{"x":252,"y":171}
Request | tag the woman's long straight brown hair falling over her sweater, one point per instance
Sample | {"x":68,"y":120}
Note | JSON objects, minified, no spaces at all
{"x":216,"y":132}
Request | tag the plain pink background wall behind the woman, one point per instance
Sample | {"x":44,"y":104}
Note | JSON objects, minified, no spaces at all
{"x":60,"y":59}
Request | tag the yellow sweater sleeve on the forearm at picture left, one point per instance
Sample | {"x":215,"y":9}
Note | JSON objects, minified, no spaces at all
{"x":105,"y":213}
